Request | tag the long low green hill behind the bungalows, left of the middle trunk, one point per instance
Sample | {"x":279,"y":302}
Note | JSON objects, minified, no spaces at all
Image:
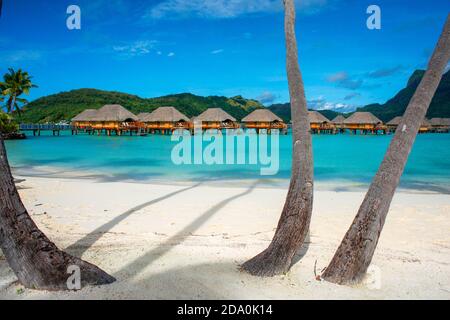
{"x":66,"y":105}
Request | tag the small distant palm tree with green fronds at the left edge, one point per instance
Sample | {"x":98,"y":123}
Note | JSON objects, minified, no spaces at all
{"x":13,"y":86}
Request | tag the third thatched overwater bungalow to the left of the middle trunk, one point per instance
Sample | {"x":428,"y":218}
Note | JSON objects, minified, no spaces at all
{"x":164,"y":120}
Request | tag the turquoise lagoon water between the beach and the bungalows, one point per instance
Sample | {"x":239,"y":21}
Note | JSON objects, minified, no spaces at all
{"x":340,"y":160}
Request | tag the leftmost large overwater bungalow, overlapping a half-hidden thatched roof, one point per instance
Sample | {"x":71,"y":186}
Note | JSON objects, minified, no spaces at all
{"x":114,"y":118}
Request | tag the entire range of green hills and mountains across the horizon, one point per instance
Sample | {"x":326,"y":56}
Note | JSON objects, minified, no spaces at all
{"x":66,"y":105}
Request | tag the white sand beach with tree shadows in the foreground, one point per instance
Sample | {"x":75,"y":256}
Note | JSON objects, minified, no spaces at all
{"x":187,"y":242}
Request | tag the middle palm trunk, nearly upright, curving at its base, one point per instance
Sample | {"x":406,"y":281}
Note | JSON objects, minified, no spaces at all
{"x":293,"y":225}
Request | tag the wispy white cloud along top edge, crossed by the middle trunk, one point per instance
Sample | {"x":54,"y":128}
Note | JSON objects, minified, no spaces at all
{"x":220,"y":9}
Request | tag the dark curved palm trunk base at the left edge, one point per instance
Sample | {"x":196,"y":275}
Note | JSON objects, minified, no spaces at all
{"x":36,"y":261}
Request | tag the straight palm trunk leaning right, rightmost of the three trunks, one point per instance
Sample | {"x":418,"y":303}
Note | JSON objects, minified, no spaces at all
{"x":355,"y":253}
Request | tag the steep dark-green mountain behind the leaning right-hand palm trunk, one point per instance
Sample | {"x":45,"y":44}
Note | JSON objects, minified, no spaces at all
{"x":440,"y":105}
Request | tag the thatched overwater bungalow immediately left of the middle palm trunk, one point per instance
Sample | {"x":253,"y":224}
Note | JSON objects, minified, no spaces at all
{"x":264,"y":119}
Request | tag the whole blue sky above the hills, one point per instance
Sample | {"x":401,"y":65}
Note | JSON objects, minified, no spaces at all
{"x":221,"y":47}
